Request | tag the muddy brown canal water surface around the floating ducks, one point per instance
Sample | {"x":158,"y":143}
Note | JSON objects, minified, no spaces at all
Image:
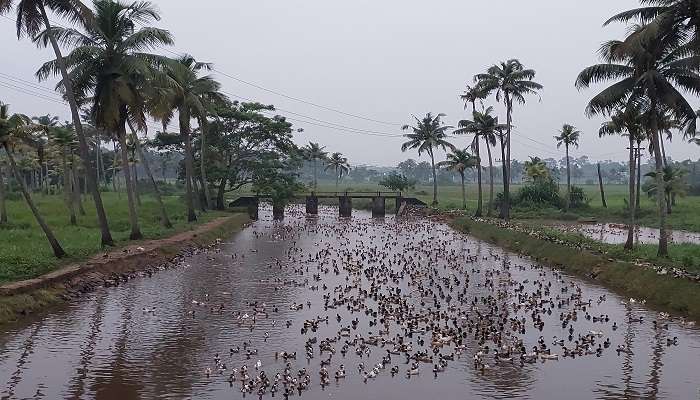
{"x":104,"y":346}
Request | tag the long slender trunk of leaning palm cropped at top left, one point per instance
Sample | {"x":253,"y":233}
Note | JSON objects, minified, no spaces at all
{"x":106,"y":236}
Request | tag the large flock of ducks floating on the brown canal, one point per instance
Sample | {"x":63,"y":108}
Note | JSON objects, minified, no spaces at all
{"x":407,"y":300}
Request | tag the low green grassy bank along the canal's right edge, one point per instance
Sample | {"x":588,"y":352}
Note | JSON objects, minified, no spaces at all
{"x":663,"y":291}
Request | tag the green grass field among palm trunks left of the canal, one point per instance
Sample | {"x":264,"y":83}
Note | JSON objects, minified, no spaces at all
{"x":25,"y":253}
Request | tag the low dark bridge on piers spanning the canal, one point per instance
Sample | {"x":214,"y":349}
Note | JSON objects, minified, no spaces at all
{"x":252,"y":202}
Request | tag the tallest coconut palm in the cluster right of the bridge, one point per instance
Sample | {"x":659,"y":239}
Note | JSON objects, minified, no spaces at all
{"x":511,"y":81}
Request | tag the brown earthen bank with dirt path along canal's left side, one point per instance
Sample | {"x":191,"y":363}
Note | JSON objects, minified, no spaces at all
{"x":111,"y":268}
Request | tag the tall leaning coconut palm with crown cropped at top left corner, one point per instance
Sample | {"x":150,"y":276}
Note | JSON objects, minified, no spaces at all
{"x":32,"y":17}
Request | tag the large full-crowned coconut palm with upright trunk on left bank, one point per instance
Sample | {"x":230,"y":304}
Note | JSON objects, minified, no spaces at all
{"x":108,"y":66}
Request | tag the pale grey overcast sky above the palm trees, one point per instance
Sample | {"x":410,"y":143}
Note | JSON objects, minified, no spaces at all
{"x":350,"y":73}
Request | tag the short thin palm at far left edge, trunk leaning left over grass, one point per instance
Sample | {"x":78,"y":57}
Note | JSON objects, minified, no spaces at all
{"x":13,"y":129}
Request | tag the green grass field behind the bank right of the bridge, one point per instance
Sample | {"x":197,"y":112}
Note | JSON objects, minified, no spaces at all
{"x":685,"y":216}
